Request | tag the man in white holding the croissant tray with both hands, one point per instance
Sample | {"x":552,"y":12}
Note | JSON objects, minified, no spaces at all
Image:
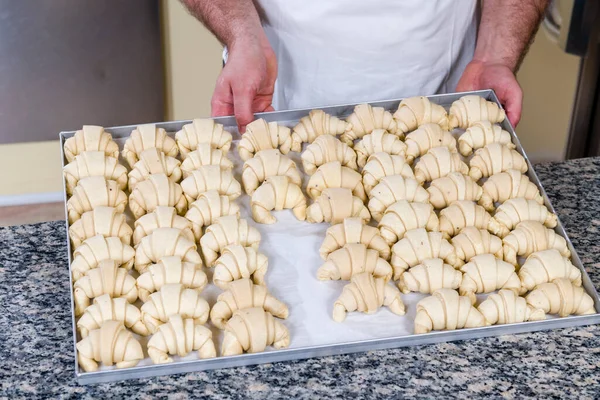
{"x":286,"y":54}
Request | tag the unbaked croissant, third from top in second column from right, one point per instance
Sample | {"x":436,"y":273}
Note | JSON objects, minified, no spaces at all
{"x":439,"y":162}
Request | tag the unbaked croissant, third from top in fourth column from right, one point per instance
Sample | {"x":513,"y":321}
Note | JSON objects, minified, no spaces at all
{"x":333,"y":174}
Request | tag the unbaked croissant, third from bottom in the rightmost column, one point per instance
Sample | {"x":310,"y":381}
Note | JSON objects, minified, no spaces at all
{"x":529,"y":237}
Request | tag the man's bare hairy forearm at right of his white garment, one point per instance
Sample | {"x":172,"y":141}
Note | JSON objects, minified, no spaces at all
{"x":506,"y":30}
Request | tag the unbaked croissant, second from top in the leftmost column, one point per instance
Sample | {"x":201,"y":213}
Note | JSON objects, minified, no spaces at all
{"x":94,"y":163}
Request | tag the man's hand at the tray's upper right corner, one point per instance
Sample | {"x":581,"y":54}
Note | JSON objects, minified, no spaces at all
{"x":479,"y":75}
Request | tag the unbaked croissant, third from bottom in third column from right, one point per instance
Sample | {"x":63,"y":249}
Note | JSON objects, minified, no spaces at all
{"x":418,"y":245}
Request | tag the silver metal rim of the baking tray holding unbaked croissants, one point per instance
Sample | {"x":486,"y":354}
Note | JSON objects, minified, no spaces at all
{"x":290,"y":118}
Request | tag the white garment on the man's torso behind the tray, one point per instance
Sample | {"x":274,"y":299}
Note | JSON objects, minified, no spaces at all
{"x":348,"y":51}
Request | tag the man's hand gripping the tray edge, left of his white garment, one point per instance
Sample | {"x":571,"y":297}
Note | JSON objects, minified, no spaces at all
{"x":247,"y":82}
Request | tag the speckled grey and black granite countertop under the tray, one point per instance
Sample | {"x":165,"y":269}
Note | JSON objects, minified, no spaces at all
{"x":36,"y":353}
